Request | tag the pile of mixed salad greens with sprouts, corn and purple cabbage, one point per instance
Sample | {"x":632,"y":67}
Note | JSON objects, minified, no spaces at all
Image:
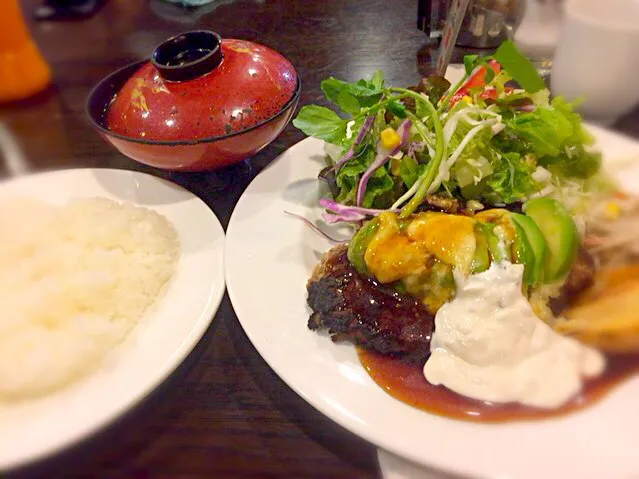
{"x":495,"y":137}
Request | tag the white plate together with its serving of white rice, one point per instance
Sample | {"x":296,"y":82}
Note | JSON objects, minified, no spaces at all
{"x":108,"y":279}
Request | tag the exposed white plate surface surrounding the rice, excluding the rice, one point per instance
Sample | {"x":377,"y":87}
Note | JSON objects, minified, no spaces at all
{"x":157,"y":345}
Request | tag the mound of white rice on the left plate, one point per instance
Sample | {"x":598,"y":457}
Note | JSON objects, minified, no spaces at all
{"x":74,"y":280}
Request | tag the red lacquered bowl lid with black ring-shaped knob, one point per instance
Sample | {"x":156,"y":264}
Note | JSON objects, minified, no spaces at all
{"x":198,"y":86}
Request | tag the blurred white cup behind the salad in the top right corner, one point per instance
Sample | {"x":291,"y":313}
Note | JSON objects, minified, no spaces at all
{"x":597,"y":57}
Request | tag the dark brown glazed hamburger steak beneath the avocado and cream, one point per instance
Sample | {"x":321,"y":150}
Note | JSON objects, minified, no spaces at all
{"x":358,"y":309}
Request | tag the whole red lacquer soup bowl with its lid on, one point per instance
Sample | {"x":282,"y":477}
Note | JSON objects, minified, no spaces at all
{"x":199,"y":104}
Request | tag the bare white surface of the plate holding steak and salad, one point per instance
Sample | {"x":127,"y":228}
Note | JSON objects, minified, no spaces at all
{"x":269,"y":258}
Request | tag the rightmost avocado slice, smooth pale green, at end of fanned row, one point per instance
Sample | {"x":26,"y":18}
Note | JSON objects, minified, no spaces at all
{"x":560,"y":233}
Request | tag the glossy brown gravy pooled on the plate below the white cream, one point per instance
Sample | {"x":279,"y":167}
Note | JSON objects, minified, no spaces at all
{"x":406,"y":382}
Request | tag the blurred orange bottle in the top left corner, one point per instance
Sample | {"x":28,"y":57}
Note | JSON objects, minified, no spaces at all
{"x":23,"y":71}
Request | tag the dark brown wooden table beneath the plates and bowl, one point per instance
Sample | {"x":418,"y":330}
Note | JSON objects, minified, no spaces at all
{"x":224,"y":413}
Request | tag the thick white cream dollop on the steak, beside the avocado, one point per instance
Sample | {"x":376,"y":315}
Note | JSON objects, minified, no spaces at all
{"x":489,"y":345}
